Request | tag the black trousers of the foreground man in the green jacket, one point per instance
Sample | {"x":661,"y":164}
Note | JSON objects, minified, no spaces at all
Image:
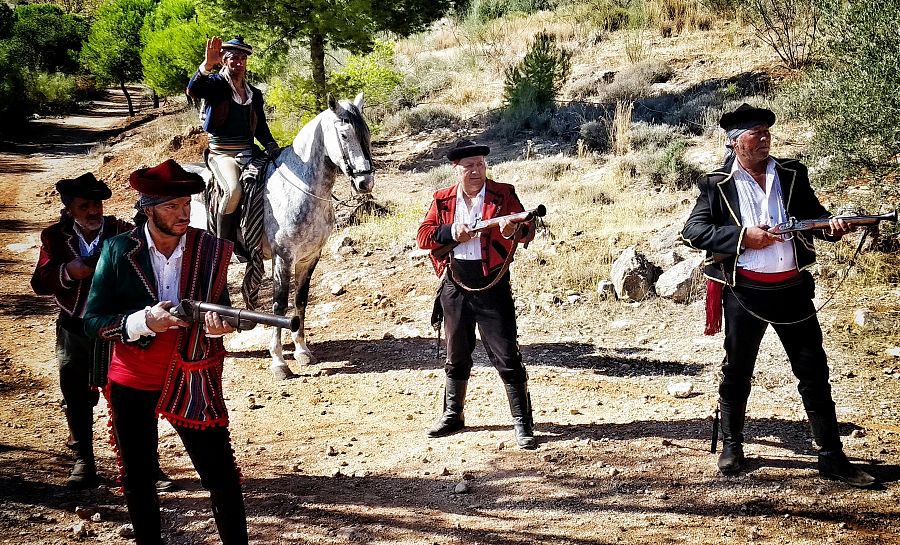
{"x":134,"y":423}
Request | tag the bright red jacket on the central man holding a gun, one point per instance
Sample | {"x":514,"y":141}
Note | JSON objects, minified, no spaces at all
{"x":499,"y":200}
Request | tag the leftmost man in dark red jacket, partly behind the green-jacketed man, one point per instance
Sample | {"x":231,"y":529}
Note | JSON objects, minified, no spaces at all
{"x":69,"y":252}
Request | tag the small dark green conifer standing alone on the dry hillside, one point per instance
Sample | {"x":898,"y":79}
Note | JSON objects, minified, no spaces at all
{"x":532,"y":85}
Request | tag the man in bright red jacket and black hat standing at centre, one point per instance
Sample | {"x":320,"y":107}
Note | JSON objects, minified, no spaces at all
{"x":471,"y":293}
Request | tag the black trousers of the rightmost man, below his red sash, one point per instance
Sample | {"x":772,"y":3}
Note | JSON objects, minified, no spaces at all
{"x":802,"y":341}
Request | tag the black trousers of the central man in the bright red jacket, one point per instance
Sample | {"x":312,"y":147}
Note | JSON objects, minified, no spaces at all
{"x":493,"y":312}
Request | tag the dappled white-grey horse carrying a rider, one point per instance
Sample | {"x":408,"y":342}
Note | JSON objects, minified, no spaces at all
{"x":298,"y":215}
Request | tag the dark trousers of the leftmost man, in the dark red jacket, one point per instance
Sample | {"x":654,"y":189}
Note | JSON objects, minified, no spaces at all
{"x":74,"y":351}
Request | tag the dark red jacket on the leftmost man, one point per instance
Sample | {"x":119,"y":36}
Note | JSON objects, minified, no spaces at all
{"x":59,"y":245}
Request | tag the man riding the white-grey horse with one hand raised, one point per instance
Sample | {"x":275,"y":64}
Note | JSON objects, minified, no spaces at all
{"x":233,"y":115}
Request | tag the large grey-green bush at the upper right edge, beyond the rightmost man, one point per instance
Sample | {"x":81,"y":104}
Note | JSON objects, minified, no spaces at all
{"x":854,"y":102}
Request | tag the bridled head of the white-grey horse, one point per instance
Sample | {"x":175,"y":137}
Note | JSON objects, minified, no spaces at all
{"x":347,"y":142}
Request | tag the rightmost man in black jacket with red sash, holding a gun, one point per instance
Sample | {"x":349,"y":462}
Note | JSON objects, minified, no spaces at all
{"x":761,"y":278}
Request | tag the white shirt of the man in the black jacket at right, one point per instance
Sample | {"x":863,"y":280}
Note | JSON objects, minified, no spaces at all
{"x":760,"y":207}
